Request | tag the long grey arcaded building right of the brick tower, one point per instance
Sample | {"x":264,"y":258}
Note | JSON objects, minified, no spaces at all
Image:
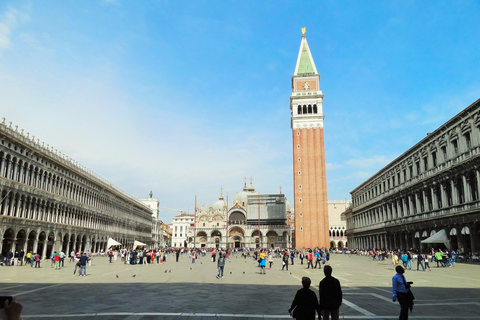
{"x":428,"y":196}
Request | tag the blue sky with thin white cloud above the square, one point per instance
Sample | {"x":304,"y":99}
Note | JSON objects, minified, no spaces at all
{"x":181,"y":97}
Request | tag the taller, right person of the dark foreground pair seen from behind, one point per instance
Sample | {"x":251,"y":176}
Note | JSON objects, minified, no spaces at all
{"x":330,"y":295}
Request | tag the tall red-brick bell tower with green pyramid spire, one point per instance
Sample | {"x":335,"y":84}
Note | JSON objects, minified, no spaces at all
{"x":309,"y":173}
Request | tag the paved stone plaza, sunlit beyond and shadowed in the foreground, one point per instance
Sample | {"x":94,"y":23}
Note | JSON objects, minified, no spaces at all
{"x":191,"y":291}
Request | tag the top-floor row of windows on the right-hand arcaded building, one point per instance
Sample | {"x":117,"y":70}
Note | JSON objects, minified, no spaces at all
{"x":415,"y":166}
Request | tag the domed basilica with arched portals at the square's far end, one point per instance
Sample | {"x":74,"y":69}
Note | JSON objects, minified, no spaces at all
{"x":251,"y":220}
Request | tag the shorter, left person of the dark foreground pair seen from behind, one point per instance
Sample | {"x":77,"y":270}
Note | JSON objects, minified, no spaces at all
{"x":305,"y":303}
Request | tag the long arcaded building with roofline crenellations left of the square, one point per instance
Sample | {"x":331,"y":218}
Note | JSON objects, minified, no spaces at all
{"x":50,"y":202}
